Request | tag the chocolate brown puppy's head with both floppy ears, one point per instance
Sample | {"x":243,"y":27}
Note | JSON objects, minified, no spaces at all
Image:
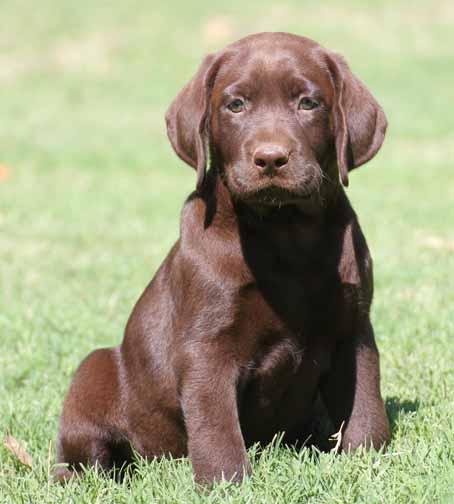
{"x":282,"y":118}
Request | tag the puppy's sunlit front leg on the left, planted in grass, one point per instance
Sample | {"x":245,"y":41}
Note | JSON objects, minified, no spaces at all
{"x":209,"y":400}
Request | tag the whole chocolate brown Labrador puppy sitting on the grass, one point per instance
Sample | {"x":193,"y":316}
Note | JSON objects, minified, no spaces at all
{"x":262,"y":306}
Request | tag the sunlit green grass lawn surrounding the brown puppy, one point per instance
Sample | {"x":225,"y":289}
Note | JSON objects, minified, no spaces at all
{"x":91,"y":207}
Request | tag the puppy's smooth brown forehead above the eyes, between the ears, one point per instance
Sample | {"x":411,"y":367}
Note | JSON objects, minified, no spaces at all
{"x":274,"y":59}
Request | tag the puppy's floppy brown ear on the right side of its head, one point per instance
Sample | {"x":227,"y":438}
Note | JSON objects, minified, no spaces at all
{"x":359,"y":121}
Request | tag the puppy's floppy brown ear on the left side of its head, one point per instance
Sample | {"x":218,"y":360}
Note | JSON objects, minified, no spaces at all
{"x":187,"y":117}
